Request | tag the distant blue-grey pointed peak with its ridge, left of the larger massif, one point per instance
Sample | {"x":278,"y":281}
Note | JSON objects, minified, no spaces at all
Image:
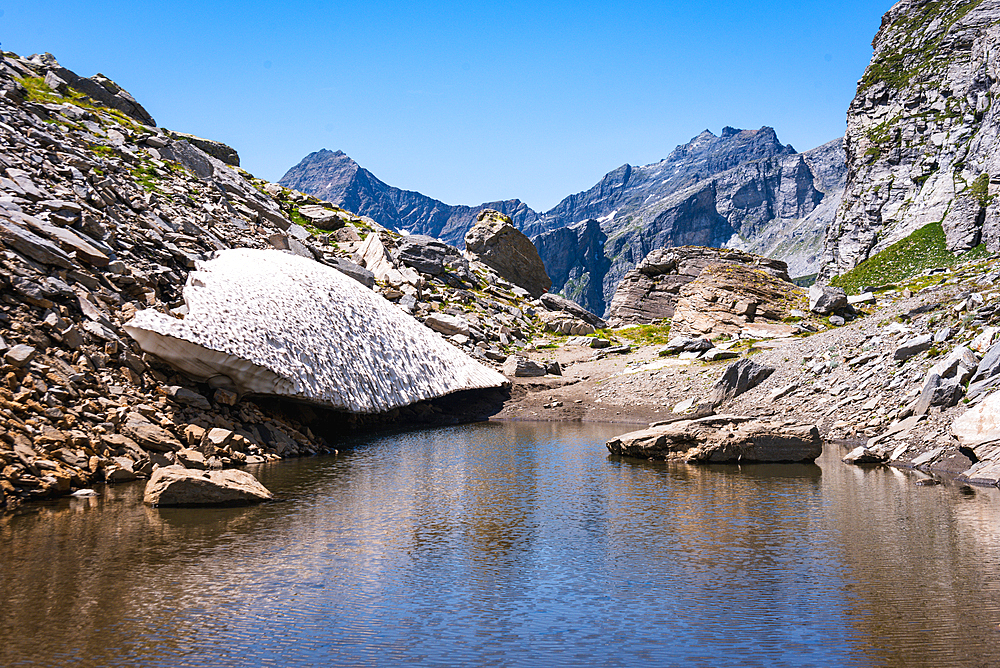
{"x":335,"y":177}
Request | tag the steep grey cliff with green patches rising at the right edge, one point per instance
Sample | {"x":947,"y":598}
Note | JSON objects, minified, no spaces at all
{"x":922,"y":133}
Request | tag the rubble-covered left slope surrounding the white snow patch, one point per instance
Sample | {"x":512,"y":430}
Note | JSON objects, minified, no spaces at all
{"x":105,"y":216}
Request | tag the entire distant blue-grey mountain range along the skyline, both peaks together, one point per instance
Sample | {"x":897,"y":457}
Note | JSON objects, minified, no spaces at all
{"x":743,"y":189}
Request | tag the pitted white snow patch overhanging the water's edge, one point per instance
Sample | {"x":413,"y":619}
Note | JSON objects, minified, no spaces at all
{"x":273,"y":323}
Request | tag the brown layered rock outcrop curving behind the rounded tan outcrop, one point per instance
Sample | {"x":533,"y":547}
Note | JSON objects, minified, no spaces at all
{"x":650,"y":292}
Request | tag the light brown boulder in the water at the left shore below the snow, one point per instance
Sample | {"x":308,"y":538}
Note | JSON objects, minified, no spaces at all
{"x":176,"y":486}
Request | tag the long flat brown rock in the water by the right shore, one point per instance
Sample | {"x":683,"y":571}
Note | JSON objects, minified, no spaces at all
{"x":723,"y":438}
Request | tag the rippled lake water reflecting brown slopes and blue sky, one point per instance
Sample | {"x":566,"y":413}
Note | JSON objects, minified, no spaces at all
{"x":514,"y":545}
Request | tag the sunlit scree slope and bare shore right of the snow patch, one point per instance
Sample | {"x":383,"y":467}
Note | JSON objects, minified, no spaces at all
{"x":906,"y":376}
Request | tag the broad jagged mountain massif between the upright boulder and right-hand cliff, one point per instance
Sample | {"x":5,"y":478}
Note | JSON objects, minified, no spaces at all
{"x":742,"y":190}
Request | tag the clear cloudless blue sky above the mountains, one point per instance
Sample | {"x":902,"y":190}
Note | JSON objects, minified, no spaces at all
{"x":467,"y":102}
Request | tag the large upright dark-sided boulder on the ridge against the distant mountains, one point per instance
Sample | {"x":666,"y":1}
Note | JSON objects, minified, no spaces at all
{"x":498,"y":244}
